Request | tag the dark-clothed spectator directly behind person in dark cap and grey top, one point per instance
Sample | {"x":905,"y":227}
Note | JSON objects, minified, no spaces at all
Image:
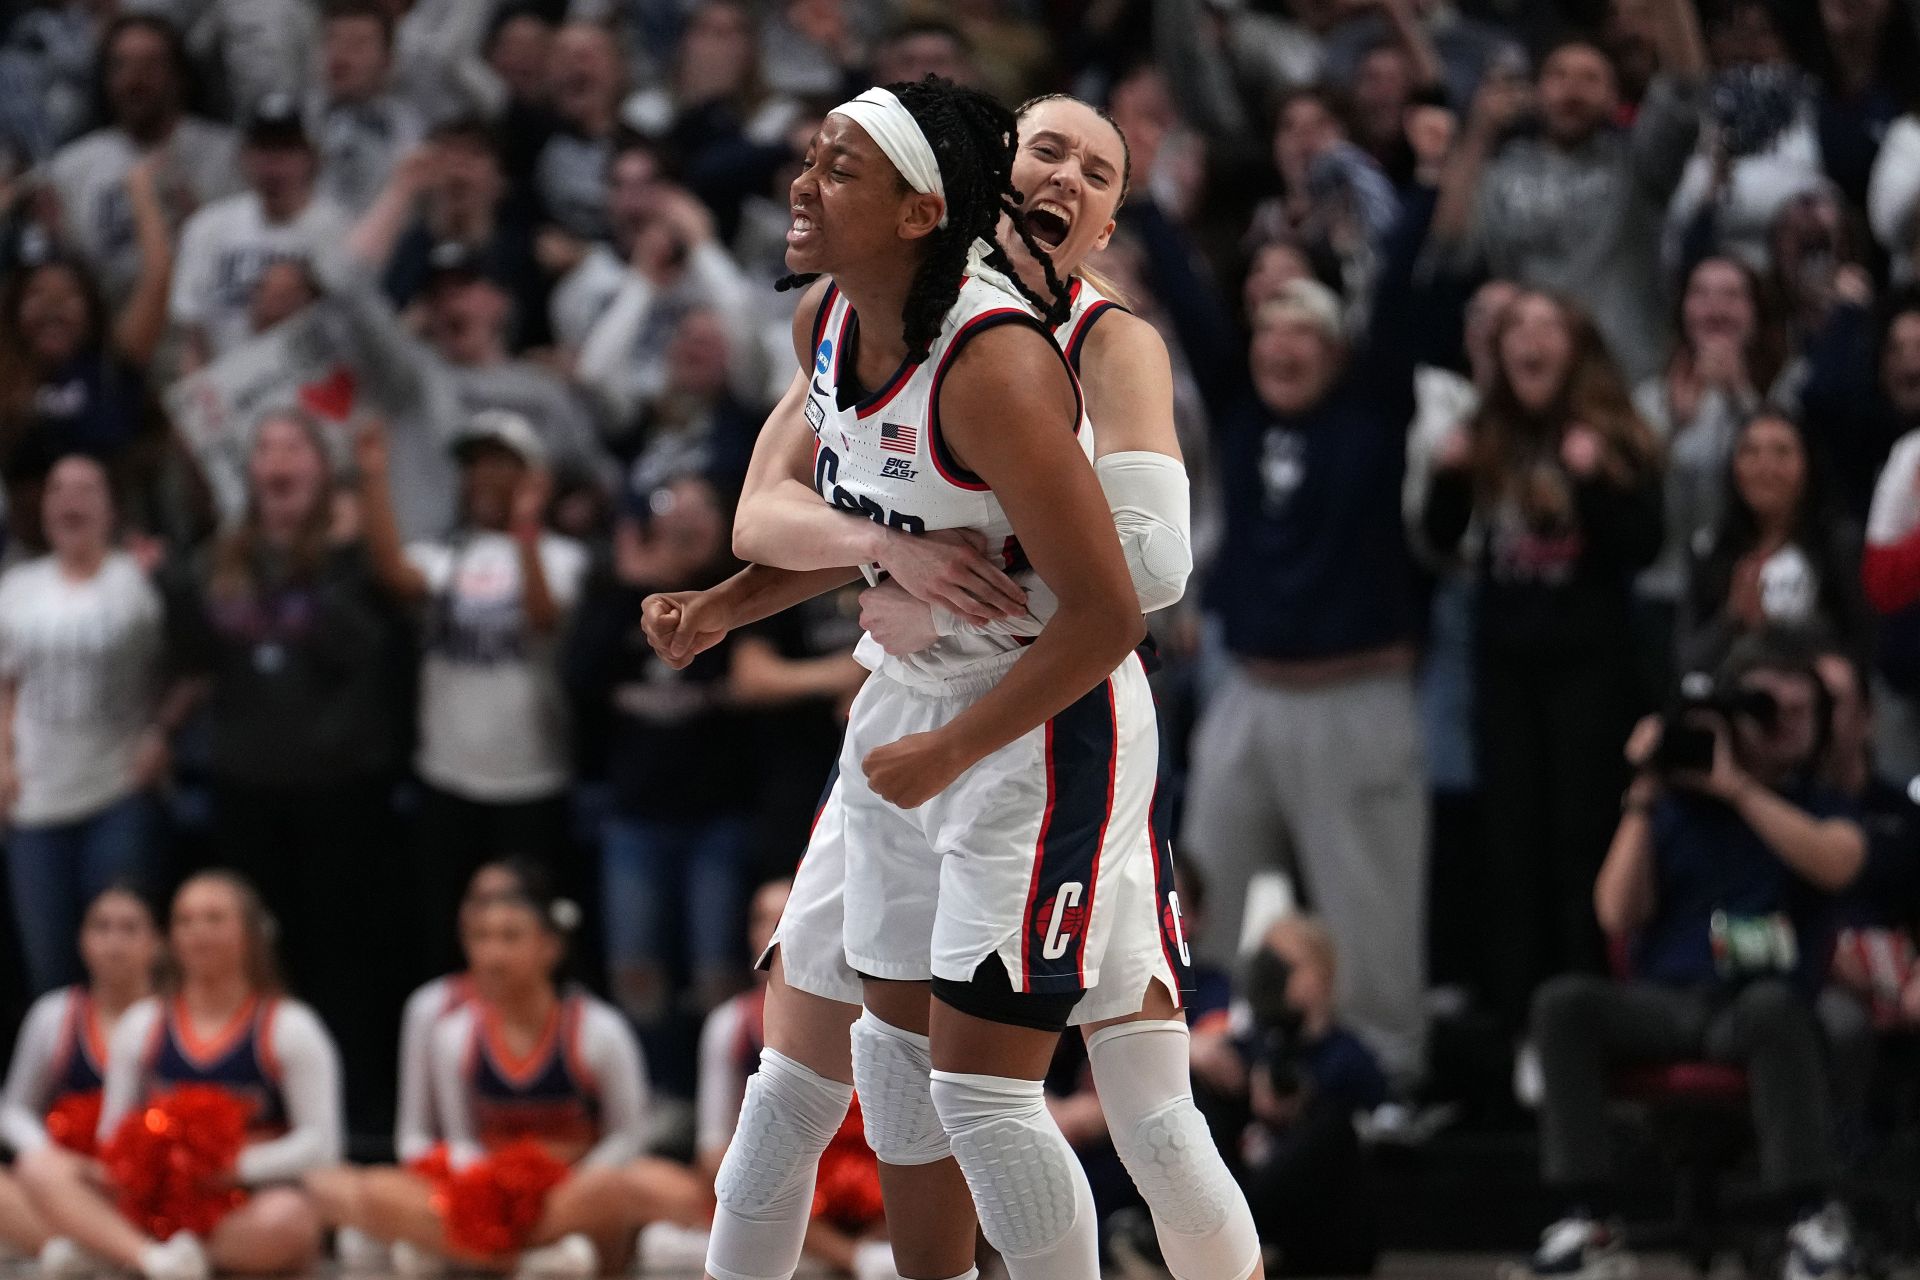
{"x":454,"y":193}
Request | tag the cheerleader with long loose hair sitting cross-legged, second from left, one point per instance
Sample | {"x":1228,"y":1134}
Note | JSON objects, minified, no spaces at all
{"x":222,"y":1022}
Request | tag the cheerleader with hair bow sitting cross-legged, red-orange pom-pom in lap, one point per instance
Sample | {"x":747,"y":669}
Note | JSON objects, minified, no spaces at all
{"x":546,"y":1081}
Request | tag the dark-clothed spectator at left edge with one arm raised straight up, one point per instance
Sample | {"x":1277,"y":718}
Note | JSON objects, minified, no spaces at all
{"x":72,"y":381}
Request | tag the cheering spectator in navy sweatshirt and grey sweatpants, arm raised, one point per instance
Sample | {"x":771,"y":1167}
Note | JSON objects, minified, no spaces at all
{"x":1320,"y":698}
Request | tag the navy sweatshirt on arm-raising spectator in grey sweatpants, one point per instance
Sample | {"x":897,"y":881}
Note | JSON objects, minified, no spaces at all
{"x":1314,"y":561}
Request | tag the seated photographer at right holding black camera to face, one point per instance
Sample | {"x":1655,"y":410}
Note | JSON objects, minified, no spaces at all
{"x":1719,"y":880}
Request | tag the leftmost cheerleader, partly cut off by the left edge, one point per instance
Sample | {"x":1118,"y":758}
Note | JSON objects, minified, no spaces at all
{"x":53,"y":1089}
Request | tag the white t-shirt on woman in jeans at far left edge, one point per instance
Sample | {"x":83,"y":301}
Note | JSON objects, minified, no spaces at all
{"x":85,"y":657}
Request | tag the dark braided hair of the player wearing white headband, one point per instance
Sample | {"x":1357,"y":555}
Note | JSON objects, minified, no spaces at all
{"x":972,"y":141}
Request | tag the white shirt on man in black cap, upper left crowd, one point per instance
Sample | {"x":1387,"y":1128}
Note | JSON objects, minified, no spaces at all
{"x":229,"y":245}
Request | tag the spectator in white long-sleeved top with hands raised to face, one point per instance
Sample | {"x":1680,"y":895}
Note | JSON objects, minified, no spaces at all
{"x":621,"y":306}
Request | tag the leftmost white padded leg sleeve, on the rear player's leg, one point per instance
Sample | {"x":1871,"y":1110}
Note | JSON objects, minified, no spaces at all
{"x":767,"y":1181}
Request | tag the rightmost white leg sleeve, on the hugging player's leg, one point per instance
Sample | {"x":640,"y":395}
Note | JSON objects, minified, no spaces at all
{"x":1201,"y":1216}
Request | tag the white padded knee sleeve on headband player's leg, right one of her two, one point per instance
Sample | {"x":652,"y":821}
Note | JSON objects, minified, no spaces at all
{"x":1028,"y":1187}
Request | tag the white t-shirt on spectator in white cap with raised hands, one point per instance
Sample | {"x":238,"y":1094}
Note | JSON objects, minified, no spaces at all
{"x":492,"y":713}
